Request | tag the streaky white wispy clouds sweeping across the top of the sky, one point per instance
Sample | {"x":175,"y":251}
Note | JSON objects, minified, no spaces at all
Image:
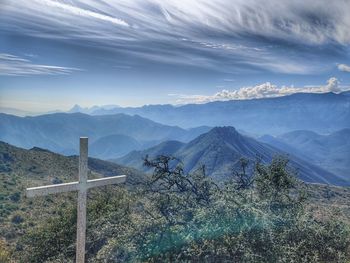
{"x":225,"y":35}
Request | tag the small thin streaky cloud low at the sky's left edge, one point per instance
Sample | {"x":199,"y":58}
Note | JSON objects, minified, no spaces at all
{"x":11,"y":65}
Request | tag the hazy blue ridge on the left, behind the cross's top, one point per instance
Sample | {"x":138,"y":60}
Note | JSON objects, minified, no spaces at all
{"x":58,"y":132}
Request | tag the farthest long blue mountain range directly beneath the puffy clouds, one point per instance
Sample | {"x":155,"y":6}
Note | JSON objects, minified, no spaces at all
{"x":320,"y":112}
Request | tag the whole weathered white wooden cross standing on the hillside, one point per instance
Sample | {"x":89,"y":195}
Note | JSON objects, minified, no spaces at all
{"x":82,"y":186}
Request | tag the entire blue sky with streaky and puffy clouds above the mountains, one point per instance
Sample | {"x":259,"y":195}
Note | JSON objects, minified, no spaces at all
{"x":57,"y":53}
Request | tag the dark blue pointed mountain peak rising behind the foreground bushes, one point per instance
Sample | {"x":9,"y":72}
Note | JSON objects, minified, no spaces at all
{"x":220,"y":150}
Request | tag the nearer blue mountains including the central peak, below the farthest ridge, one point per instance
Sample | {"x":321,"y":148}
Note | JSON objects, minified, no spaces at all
{"x":116,"y":135}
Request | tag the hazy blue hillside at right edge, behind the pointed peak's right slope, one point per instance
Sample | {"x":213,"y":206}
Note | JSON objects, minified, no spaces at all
{"x":331,"y":152}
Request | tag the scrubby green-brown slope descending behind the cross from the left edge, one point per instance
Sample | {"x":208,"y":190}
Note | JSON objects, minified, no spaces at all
{"x":20,"y":168}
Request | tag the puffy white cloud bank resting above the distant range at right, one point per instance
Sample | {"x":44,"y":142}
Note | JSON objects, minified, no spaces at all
{"x":265,"y":90}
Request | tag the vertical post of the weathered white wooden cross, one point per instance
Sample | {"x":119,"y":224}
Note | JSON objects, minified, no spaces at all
{"x":82,"y":195}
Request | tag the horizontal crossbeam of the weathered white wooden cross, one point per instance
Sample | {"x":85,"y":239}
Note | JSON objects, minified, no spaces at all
{"x":73,"y":186}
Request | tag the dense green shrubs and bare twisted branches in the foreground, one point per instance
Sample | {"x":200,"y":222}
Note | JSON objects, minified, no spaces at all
{"x":260,"y":216}
